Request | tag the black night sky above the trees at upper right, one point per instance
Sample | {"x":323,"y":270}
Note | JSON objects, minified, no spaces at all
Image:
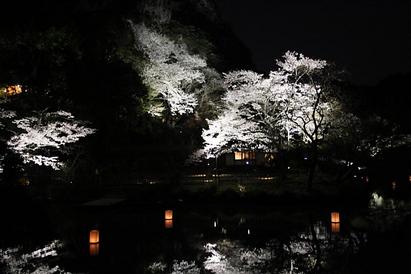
{"x":370,"y":39}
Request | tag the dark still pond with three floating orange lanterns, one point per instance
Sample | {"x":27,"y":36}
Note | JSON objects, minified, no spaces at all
{"x":185,"y":239}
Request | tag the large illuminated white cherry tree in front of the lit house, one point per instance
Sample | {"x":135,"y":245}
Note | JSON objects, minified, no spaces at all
{"x":271,"y":113}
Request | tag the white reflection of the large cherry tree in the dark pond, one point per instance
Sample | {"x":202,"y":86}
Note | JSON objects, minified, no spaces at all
{"x":313,"y":251}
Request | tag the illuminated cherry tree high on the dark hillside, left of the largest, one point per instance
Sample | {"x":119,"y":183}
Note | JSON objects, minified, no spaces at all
{"x":170,"y":71}
